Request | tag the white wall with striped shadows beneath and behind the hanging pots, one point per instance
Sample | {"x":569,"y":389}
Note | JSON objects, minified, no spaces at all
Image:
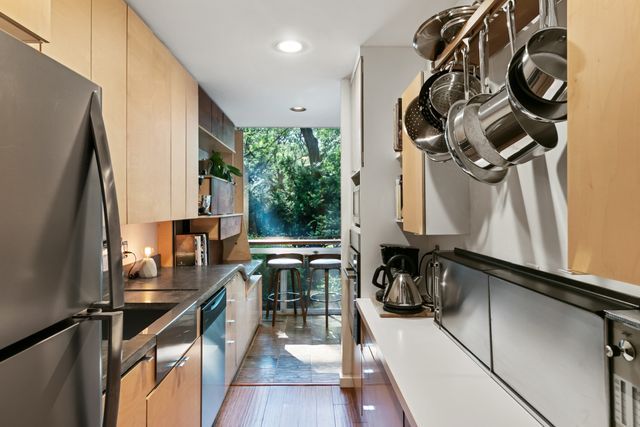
{"x":524,"y":219}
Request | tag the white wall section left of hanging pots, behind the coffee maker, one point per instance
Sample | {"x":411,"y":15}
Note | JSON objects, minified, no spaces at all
{"x":387,"y":72}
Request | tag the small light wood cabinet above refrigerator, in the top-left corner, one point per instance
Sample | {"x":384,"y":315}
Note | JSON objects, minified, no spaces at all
{"x":27,"y":20}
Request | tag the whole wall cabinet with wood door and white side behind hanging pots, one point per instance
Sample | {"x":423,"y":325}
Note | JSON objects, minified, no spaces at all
{"x":435,"y":196}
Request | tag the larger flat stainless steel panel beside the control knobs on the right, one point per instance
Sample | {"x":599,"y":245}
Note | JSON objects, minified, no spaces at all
{"x":551,"y":354}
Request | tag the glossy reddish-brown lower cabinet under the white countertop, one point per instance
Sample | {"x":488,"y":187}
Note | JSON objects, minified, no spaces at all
{"x":380,"y":406}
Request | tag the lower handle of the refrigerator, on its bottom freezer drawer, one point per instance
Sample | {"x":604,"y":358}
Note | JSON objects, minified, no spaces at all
{"x":114,"y":320}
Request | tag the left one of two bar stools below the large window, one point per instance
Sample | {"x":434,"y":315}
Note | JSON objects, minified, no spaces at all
{"x":290,"y":262}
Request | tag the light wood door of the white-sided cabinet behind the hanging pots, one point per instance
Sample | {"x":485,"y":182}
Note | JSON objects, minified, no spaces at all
{"x":413,"y":159}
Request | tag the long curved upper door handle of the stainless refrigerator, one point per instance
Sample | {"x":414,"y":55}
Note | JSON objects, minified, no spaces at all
{"x":110,"y":204}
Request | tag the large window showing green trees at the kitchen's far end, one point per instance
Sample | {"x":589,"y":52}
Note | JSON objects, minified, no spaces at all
{"x":293,"y":177}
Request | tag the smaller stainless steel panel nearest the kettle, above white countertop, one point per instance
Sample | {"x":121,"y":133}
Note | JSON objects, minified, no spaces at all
{"x":465,"y":307}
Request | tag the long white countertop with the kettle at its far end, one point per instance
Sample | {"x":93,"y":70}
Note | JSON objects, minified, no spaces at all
{"x":436,"y":382}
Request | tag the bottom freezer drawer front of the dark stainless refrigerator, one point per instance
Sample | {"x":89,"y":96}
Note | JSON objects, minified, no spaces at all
{"x":55,"y":382}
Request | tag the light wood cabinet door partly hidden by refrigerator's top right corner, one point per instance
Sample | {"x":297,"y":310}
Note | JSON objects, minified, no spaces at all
{"x":70,"y":41}
